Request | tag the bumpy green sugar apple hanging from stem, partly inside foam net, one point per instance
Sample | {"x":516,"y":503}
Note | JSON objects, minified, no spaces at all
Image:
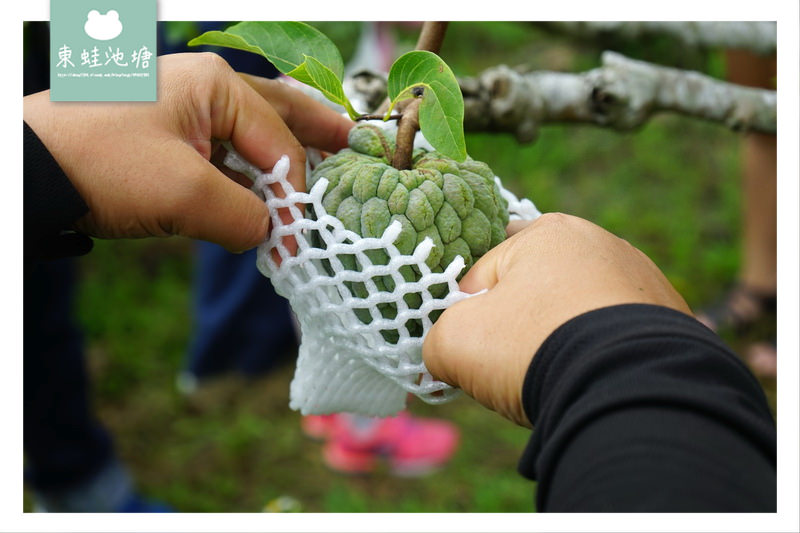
{"x":457,"y":205}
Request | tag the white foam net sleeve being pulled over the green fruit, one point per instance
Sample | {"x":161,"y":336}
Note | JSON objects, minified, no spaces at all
{"x":345,"y":365}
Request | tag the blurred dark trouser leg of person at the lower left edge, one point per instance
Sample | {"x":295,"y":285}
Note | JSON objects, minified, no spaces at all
{"x":70,"y":461}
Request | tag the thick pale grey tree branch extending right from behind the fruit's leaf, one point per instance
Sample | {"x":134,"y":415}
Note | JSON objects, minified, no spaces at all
{"x":623,"y":93}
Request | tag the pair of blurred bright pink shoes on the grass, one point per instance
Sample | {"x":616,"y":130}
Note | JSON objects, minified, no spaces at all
{"x":412,"y":446}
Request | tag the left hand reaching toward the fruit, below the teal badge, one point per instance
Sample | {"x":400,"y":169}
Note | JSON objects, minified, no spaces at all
{"x":144,"y":168}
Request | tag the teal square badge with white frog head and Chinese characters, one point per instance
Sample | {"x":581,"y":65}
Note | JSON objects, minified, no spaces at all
{"x":103,"y":50}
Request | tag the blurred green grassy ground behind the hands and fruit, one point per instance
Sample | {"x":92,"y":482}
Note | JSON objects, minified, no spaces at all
{"x":672,"y":189}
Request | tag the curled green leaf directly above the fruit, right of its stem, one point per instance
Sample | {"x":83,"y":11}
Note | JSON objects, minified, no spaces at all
{"x":441,"y":112}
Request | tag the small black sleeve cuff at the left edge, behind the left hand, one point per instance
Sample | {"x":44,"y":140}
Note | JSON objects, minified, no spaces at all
{"x":51,"y":205}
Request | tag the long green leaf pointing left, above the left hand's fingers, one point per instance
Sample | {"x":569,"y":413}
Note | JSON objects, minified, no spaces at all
{"x":296,"y":49}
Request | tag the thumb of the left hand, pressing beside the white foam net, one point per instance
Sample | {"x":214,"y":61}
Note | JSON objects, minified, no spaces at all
{"x":216,"y":209}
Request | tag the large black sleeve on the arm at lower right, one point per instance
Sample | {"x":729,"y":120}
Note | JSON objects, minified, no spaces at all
{"x":639,"y":408}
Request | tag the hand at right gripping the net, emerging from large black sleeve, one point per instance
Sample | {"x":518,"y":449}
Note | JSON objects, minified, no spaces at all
{"x":553,"y":270}
